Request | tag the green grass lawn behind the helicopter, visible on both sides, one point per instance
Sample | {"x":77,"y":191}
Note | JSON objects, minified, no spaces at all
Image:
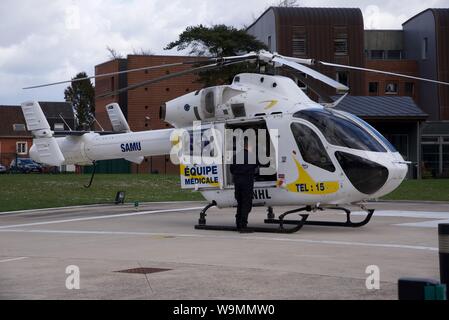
{"x":34,"y":191}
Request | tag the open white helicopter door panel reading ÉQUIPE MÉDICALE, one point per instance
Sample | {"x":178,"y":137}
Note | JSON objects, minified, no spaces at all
{"x":201,"y":159}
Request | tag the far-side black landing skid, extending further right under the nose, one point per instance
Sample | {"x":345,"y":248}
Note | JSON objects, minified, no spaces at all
{"x":348,"y":224}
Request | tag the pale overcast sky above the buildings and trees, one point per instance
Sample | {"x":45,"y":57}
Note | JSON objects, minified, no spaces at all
{"x":46,"y":40}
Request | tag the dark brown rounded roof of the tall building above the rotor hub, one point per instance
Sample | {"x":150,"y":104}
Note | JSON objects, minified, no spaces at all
{"x":313,"y":16}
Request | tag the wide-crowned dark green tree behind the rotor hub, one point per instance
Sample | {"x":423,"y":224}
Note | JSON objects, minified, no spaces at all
{"x":218,"y":41}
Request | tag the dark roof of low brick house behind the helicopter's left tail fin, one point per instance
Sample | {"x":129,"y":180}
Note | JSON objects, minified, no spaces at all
{"x":11,"y":115}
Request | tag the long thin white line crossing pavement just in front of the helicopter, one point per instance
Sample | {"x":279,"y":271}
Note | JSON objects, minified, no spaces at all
{"x":240,"y":237}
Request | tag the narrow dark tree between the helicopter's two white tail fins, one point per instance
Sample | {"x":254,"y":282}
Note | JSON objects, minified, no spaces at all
{"x":81,"y":94}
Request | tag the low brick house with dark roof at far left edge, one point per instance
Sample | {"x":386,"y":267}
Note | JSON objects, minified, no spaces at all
{"x":15,"y":140}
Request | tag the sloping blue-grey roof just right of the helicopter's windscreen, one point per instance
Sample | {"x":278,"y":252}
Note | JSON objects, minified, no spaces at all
{"x":381,"y":107}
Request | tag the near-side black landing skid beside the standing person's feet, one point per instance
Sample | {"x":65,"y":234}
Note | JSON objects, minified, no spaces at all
{"x":298,"y":224}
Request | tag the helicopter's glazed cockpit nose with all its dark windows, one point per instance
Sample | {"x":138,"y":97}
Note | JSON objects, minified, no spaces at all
{"x":339,"y":139}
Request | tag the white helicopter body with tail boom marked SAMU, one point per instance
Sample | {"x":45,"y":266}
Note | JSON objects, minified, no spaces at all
{"x":323,"y":169}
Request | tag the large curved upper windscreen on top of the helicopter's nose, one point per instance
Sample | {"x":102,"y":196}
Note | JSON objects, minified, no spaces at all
{"x":340,"y":131}
